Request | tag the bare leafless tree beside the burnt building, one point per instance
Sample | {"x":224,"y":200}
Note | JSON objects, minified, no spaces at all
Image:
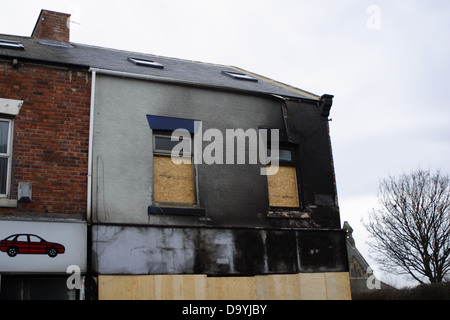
{"x":411,"y":230}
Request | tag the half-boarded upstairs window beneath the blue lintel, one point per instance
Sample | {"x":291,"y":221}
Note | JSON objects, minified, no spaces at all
{"x":173,"y":182}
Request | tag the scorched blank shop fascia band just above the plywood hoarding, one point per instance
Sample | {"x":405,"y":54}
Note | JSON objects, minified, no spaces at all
{"x":212,"y":251}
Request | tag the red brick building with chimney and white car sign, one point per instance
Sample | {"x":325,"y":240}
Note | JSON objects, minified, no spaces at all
{"x":44,"y":120}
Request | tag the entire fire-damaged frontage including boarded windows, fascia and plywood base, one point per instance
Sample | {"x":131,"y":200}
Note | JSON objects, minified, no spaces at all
{"x":152,"y":218}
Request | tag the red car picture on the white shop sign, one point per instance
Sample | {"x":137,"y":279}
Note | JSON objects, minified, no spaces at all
{"x":29,"y":244}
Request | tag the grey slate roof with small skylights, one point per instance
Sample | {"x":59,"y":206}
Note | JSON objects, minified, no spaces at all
{"x":206,"y":74}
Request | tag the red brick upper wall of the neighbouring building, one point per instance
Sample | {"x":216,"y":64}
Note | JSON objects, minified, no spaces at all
{"x":51,"y":137}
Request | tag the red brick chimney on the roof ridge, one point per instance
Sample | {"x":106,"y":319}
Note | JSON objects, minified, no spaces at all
{"x":52,"y":27}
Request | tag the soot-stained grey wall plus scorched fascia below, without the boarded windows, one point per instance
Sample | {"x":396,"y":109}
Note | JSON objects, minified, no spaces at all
{"x":232,"y":230}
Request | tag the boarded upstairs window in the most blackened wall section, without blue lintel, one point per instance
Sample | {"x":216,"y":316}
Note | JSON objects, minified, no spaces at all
{"x":283,"y":186}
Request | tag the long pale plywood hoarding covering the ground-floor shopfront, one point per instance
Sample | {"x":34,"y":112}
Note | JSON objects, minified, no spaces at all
{"x":304,"y":286}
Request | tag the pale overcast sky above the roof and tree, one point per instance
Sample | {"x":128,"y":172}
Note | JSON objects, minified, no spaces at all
{"x":386,"y":62}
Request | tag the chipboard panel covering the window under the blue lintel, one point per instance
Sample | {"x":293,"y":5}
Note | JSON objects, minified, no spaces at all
{"x":172,"y":182}
